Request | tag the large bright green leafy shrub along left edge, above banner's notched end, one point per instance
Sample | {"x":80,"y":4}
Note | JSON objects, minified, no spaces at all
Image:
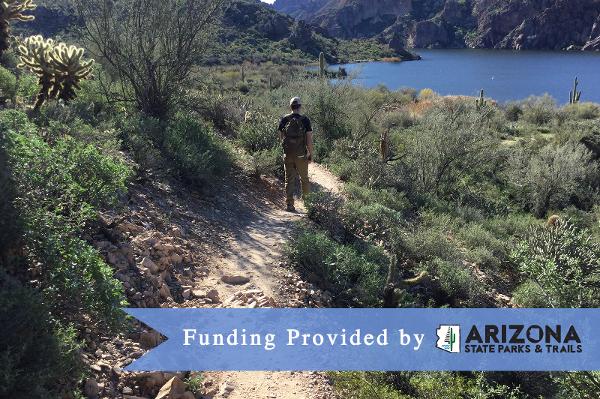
{"x":58,"y":191}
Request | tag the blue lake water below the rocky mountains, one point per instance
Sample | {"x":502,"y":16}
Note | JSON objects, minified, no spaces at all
{"x":504,"y":75}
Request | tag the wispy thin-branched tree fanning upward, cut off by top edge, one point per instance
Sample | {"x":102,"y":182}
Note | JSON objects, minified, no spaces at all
{"x":151,"y":45}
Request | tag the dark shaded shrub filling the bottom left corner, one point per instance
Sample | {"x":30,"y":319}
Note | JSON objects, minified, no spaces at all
{"x":39,"y":359}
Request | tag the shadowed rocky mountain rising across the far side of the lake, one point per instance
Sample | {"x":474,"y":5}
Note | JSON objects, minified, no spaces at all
{"x":512,"y":24}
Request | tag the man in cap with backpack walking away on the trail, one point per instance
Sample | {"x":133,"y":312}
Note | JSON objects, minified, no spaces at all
{"x":295,"y":133}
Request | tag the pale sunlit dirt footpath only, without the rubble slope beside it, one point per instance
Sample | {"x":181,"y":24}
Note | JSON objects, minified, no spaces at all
{"x":255,"y":250}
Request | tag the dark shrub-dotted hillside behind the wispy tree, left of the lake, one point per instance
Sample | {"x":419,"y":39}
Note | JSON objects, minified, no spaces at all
{"x":248,"y":30}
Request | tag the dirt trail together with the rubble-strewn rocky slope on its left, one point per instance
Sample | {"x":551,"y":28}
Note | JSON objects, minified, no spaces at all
{"x":175,"y":248}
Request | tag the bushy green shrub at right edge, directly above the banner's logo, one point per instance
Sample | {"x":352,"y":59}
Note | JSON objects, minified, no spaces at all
{"x":564,"y":262}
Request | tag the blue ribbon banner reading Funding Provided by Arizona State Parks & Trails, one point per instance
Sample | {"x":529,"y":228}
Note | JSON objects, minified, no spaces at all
{"x":372,"y":339}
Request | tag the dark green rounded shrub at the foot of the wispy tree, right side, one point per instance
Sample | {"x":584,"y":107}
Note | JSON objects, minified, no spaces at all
{"x":195,"y":150}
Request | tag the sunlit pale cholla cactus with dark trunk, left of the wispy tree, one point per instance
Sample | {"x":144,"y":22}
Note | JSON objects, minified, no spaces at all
{"x":60,"y":68}
